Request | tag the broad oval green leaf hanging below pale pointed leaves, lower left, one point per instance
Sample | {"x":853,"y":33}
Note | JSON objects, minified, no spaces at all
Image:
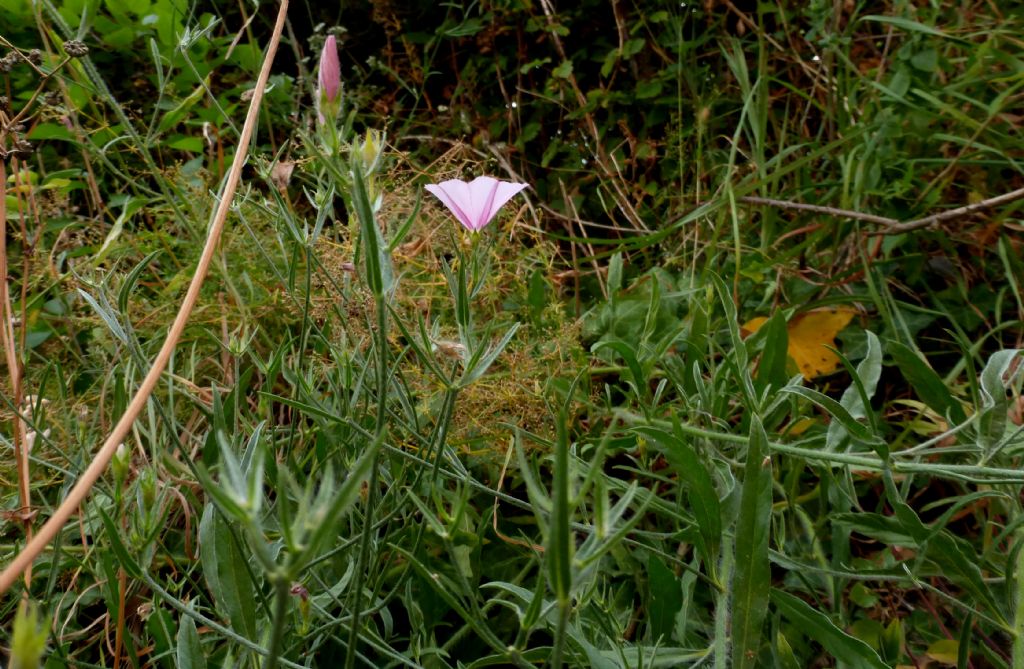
{"x":225,"y":568}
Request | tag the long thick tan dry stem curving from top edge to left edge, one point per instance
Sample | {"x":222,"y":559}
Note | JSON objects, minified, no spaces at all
{"x":47,"y":534}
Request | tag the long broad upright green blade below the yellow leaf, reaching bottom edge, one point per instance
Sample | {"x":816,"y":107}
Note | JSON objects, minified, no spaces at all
{"x":753,"y":579}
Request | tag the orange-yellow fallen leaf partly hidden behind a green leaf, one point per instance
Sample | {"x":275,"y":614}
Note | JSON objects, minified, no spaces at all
{"x":810,"y":333}
